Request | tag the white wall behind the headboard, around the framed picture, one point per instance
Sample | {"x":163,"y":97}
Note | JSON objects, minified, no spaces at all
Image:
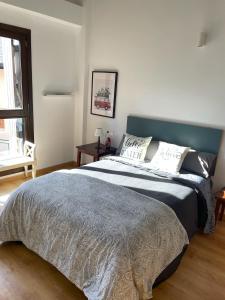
{"x":152,"y":44}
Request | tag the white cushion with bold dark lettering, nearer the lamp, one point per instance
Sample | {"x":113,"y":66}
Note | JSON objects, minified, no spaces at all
{"x":135,"y":147}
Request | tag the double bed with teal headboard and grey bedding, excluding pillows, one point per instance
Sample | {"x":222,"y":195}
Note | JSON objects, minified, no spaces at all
{"x":115,"y":229}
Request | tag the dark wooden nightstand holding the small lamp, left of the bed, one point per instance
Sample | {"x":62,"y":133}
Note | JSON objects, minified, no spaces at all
{"x":91,"y":149}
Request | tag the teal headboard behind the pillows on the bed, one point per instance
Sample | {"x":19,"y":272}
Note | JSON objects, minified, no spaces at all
{"x":199,"y":138}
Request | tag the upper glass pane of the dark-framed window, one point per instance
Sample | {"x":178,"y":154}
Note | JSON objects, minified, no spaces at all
{"x":11,"y":96}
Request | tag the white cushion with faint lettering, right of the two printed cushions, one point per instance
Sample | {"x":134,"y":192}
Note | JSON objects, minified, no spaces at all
{"x":168,"y":158}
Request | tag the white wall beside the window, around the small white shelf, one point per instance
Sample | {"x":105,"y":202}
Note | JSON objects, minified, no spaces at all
{"x":54,"y":55}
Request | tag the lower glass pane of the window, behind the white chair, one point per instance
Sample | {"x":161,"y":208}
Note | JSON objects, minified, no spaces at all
{"x":11,"y":138}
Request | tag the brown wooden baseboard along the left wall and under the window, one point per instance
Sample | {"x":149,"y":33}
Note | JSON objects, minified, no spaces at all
{"x":40,"y":172}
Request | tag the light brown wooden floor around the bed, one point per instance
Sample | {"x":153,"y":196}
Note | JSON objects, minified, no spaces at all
{"x":201,"y":275}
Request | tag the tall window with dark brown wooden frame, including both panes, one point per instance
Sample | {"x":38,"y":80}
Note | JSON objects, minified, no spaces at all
{"x":16,"y":107}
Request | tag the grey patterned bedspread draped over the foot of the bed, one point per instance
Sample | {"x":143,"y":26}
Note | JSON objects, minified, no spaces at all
{"x":110,"y":241}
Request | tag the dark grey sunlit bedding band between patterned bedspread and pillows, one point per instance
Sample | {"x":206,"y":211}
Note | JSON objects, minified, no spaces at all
{"x":186,"y":201}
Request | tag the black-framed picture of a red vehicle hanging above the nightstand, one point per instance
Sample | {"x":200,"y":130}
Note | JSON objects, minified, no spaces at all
{"x":103,"y":93}
